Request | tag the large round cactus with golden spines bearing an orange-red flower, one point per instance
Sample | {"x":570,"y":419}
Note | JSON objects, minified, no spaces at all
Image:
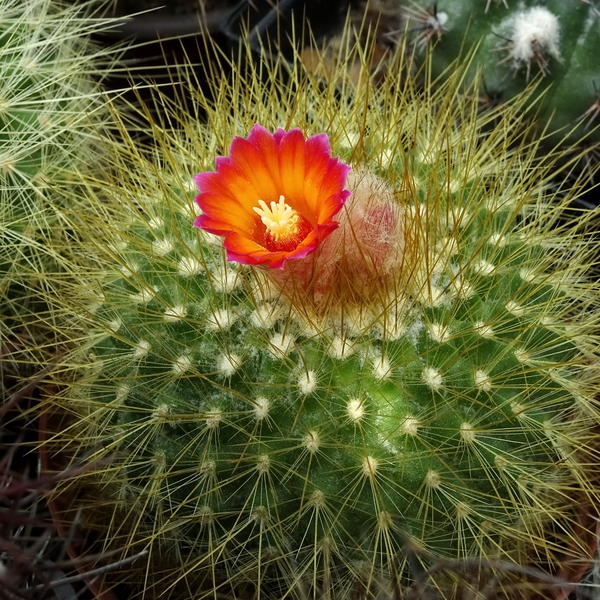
{"x":416,"y":378}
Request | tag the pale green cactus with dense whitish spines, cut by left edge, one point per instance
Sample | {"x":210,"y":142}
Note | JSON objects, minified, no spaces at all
{"x":48,"y":90}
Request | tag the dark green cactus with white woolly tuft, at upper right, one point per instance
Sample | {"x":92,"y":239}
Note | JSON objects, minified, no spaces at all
{"x":516,"y":42}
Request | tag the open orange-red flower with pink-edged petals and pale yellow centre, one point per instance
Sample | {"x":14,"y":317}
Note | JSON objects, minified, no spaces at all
{"x":274,"y":197}
